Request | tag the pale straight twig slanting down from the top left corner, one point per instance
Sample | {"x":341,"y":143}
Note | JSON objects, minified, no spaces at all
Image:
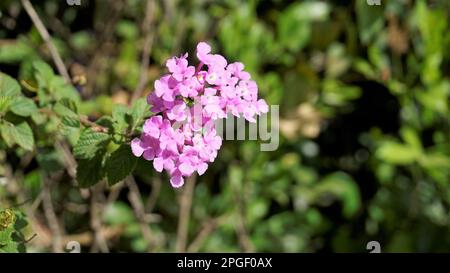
{"x":47,"y":39}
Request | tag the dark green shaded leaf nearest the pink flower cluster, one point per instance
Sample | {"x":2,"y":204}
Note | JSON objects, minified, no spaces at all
{"x":120,"y":164}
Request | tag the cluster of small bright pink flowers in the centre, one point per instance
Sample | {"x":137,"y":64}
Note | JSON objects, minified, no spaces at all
{"x":181,"y":137}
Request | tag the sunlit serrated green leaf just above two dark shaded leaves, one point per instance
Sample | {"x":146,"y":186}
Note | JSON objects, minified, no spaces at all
{"x":89,"y":143}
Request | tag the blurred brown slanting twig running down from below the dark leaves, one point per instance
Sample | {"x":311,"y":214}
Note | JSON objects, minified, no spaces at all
{"x":135,"y":198}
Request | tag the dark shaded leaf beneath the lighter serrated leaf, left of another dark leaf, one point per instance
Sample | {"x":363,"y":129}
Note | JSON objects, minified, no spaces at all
{"x":90,"y":171}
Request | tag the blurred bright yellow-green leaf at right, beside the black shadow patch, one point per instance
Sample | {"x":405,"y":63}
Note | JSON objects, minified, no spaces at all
{"x":397,"y":153}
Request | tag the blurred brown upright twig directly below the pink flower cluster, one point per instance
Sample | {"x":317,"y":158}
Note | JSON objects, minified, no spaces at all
{"x":185,"y":213}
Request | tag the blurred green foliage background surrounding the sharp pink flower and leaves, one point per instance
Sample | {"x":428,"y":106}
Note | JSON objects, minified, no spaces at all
{"x":364,"y":150}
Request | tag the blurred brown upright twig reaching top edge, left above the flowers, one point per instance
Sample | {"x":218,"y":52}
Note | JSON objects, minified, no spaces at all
{"x":148,"y":32}
